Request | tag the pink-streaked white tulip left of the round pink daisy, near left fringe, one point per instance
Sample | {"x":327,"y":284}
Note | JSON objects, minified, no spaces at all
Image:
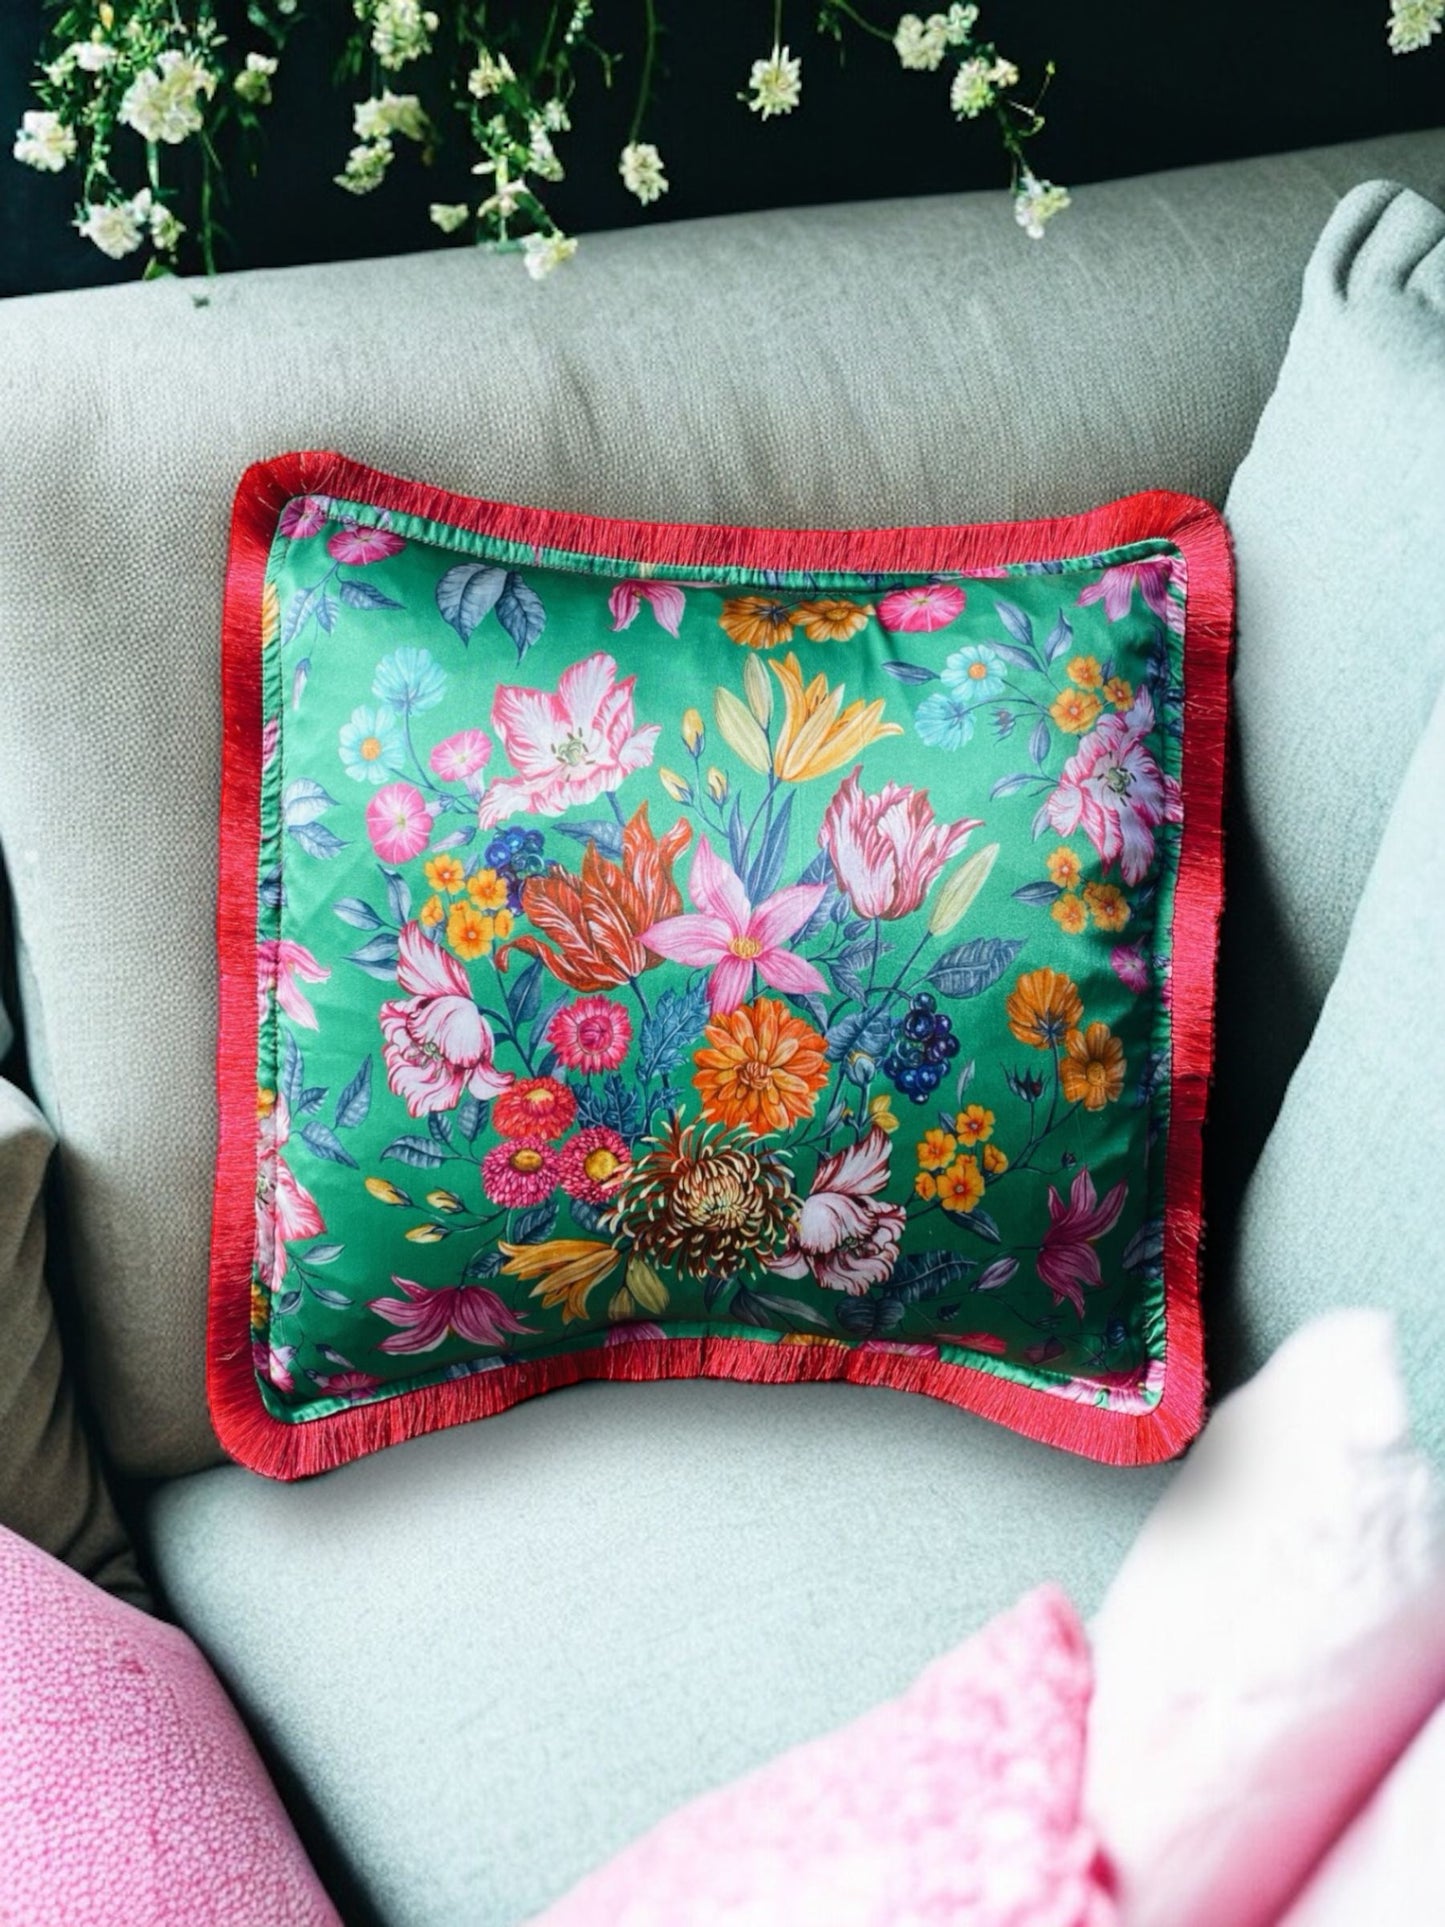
{"x":436,"y":1042}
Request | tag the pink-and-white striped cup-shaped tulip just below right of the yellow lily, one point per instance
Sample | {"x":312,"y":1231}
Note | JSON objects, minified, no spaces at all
{"x":889,"y":849}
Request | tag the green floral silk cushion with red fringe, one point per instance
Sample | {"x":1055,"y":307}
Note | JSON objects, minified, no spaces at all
{"x":658,"y":951}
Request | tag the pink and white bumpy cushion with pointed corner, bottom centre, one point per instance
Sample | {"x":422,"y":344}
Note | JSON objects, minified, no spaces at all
{"x":955,"y":1805}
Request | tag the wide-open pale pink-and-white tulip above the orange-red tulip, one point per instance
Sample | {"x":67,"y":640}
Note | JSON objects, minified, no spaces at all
{"x":569,"y":747}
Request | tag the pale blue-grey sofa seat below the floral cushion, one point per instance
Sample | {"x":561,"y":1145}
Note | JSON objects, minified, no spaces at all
{"x":675,"y":1579}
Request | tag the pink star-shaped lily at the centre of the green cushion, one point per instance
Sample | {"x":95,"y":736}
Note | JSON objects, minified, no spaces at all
{"x":735,"y":937}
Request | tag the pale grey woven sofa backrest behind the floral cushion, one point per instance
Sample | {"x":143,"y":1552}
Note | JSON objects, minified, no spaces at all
{"x":910,"y":363}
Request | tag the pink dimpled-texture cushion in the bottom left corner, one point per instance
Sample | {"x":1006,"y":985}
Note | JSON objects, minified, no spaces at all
{"x":130,"y":1791}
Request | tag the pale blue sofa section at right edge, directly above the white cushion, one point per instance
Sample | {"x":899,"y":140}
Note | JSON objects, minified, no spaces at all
{"x":1371,"y":1086}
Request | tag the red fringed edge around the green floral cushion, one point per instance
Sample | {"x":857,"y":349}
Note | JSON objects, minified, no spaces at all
{"x":298,"y":1450}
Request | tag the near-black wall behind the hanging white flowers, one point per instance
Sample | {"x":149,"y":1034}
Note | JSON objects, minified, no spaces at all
{"x":1140,"y":88}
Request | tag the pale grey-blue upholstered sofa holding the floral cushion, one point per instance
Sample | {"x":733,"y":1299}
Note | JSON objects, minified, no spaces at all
{"x":481,"y":1662}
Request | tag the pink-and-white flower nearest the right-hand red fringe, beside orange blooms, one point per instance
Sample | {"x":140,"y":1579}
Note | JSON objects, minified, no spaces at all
{"x":1117,"y":793}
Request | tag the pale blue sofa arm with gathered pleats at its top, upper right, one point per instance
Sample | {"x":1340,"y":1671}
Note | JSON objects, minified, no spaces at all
{"x":1344,"y":492}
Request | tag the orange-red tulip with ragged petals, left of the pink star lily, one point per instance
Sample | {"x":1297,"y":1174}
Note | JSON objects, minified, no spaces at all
{"x":596,"y":920}
